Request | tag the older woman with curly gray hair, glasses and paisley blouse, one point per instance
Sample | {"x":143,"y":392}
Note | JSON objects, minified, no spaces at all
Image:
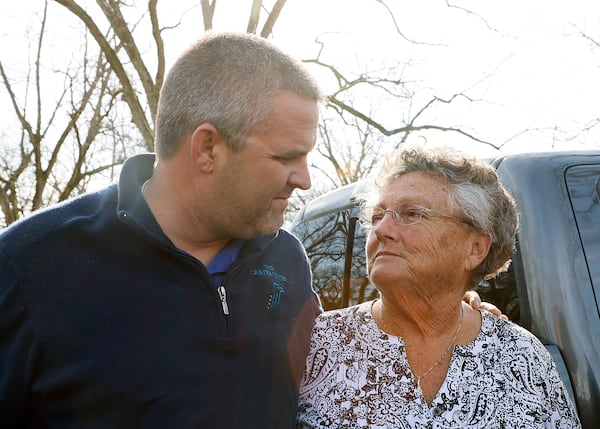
{"x":419,"y":356}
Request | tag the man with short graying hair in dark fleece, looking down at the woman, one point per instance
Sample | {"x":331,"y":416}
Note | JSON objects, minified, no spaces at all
{"x":173,"y":299}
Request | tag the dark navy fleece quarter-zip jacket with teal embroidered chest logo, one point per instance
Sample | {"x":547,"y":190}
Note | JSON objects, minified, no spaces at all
{"x":104,"y":323}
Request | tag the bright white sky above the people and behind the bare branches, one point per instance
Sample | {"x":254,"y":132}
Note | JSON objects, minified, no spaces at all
{"x":537,"y":78}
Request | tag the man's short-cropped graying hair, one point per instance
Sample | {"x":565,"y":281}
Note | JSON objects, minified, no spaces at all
{"x":229,"y":81}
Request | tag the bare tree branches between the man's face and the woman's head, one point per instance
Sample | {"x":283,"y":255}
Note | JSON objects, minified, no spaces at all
{"x":358,"y":128}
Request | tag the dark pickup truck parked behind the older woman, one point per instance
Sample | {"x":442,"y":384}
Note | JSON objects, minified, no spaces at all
{"x":553,"y":286}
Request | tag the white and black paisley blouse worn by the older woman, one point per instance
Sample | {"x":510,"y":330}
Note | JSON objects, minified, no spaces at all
{"x":357,"y":376}
